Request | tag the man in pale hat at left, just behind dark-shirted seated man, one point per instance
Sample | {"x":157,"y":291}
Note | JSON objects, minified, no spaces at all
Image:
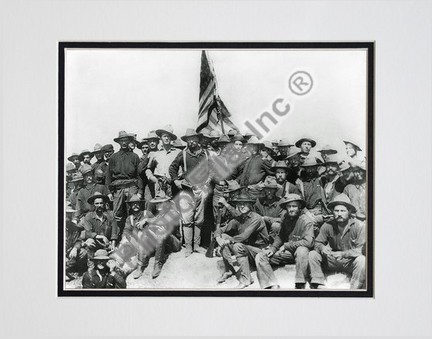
{"x":89,"y":188}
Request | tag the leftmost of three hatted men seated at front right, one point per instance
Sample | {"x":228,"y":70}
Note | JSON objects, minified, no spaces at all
{"x":250,"y":238}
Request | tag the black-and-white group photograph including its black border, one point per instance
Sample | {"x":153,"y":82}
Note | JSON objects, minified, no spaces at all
{"x":216,"y":169}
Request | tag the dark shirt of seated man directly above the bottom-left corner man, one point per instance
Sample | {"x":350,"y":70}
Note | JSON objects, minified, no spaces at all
{"x":106,"y":226}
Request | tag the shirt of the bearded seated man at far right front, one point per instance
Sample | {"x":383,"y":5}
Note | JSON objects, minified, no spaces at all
{"x":350,"y":242}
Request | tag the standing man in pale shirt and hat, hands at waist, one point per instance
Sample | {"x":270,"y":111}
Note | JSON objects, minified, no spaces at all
{"x":157,"y":170}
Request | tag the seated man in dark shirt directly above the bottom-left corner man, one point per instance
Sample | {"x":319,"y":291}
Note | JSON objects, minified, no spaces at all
{"x":100,"y":224}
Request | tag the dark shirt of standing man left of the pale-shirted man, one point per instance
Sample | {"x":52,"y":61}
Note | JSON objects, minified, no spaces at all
{"x":123,"y":165}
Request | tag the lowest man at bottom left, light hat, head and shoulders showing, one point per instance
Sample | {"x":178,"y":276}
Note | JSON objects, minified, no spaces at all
{"x":104,"y":273}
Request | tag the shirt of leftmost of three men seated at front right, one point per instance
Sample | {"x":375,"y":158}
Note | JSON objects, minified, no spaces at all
{"x":250,"y":230}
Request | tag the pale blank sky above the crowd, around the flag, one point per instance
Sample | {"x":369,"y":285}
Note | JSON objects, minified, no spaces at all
{"x":138,"y":90}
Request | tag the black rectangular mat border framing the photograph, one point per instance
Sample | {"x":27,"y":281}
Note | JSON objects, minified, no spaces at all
{"x":369,"y":47}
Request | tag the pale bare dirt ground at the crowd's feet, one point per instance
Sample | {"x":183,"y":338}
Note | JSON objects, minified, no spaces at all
{"x":199,"y":272}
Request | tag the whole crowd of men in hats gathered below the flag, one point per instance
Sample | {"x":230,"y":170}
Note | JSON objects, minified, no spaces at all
{"x":256,"y":204}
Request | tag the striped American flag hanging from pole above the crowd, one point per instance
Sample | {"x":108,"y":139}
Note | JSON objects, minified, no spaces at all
{"x":212,"y":110}
